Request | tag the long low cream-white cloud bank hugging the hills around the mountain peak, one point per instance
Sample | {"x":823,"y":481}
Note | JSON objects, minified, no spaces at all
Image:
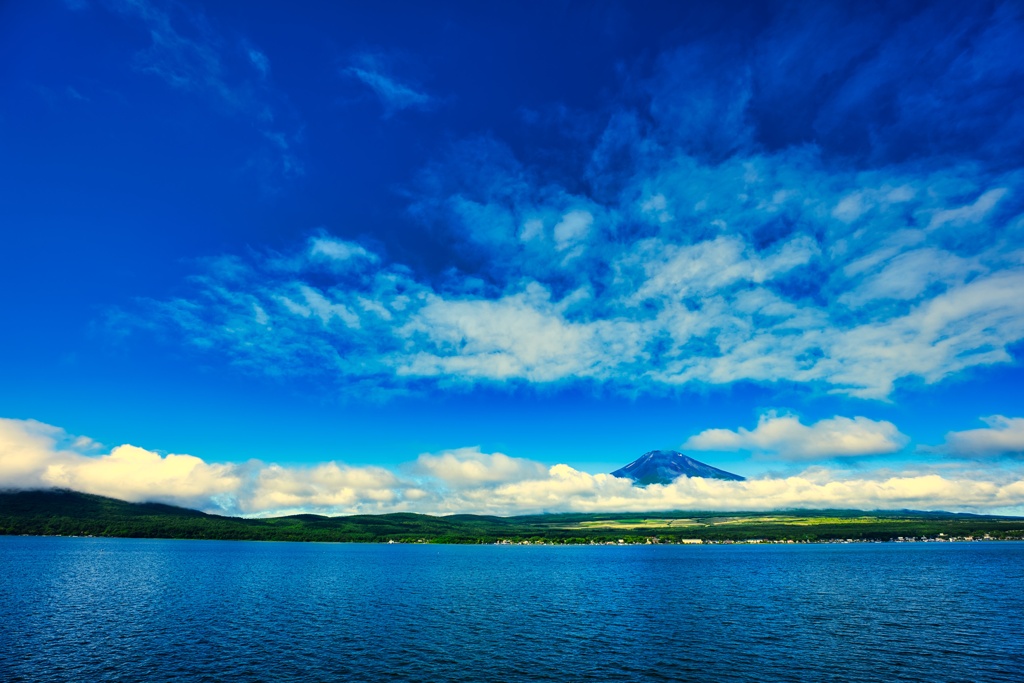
{"x":35,"y":455}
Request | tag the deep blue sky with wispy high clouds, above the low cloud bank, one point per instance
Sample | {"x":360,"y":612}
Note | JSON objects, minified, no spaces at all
{"x":566,"y":232}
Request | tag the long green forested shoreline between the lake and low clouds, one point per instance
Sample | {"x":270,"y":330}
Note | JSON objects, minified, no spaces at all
{"x":72,"y":514}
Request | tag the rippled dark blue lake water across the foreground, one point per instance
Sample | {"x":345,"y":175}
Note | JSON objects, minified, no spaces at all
{"x":99,"y":610}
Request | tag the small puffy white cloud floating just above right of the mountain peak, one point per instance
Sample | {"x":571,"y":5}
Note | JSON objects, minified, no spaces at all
{"x":788,"y":439}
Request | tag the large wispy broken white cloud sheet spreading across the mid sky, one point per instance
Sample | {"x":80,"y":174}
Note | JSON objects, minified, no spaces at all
{"x":774,"y":268}
